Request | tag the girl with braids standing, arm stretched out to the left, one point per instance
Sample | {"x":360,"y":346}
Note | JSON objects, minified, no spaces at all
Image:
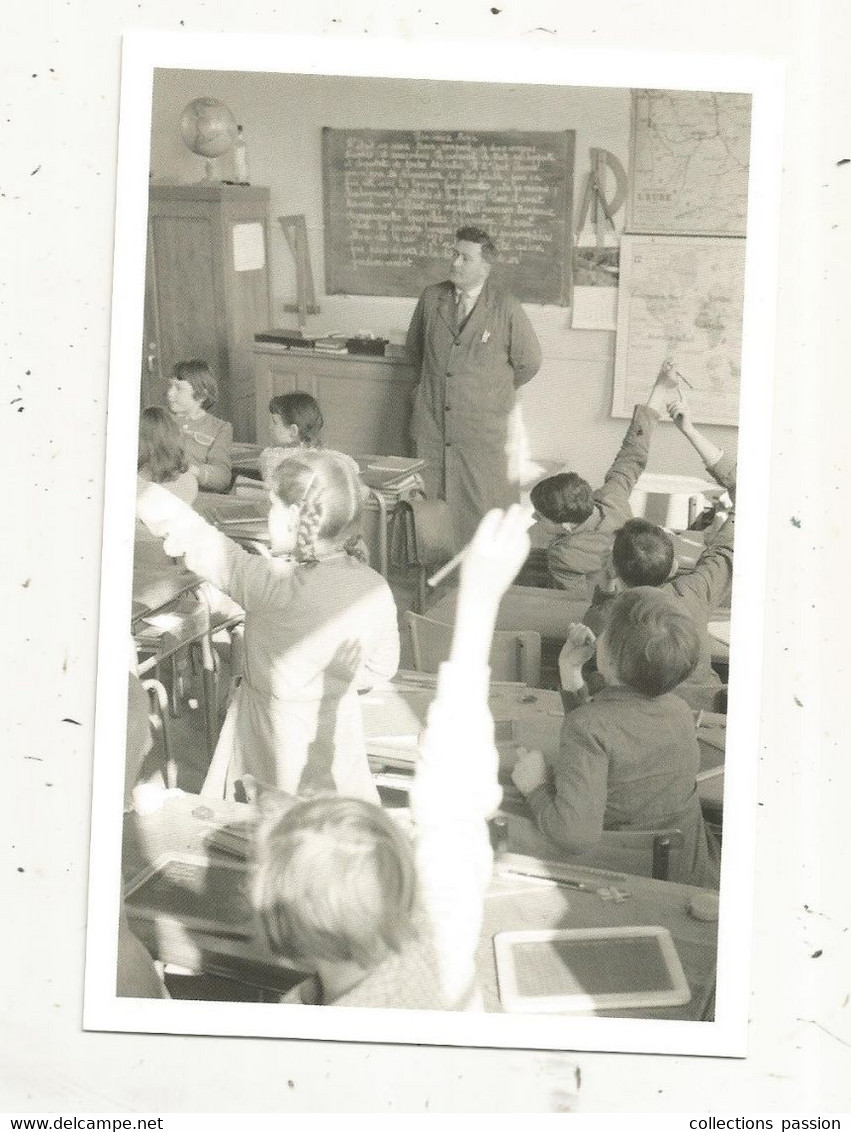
{"x":320,"y":624}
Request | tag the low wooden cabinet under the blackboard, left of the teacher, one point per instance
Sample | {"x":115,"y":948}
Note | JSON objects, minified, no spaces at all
{"x":366,"y":401}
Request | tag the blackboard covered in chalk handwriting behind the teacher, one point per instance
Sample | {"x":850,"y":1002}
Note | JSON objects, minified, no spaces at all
{"x":394,"y":200}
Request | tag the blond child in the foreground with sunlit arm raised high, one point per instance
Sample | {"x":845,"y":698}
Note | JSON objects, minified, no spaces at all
{"x":341,"y":890}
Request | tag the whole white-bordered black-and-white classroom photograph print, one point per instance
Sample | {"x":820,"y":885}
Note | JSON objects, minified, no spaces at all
{"x":432,"y":615}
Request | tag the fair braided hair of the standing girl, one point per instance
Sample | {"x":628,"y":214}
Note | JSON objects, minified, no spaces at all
{"x":326,"y":490}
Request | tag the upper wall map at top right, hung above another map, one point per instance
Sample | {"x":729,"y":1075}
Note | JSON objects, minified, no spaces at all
{"x":691,"y":159}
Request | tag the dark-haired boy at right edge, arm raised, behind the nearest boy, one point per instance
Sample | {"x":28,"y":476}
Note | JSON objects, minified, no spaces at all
{"x":643,"y":555}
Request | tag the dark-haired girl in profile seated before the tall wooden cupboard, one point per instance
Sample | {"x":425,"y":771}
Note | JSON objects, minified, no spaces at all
{"x":208,"y":441}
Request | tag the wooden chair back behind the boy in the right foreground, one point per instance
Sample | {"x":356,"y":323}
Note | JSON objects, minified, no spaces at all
{"x":638,"y":853}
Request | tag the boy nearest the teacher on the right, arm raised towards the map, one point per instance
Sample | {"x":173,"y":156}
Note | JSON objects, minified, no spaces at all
{"x":583,"y":521}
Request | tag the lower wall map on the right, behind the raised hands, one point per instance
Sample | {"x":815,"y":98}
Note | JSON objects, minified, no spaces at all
{"x":682,"y":298}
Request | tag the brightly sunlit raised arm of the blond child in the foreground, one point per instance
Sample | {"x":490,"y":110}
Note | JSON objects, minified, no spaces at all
{"x":455,"y":788}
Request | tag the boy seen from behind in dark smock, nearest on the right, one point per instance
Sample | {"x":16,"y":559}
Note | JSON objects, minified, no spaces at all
{"x":627,"y":758}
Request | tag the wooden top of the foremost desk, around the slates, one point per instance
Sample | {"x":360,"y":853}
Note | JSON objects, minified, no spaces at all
{"x":512,"y":904}
